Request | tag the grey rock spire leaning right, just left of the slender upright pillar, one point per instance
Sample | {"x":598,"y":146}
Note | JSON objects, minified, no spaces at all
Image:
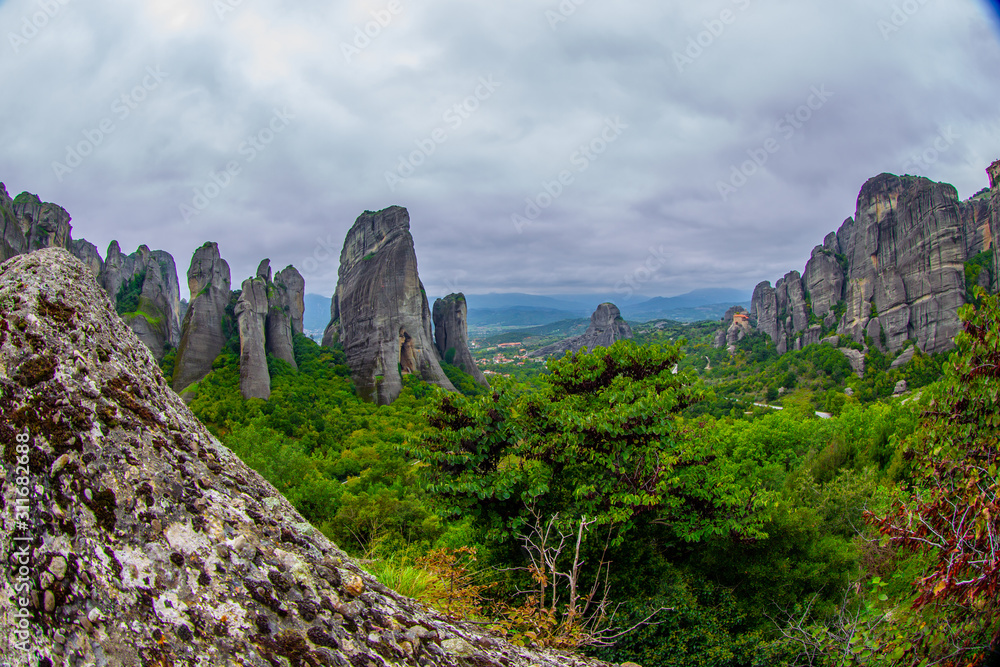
{"x":203,"y":334}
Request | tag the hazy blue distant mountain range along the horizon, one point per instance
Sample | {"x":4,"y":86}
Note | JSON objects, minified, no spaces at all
{"x":515,"y":309}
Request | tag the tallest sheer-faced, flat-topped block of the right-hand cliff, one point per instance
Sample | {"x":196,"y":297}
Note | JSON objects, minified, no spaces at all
{"x":907,"y":256}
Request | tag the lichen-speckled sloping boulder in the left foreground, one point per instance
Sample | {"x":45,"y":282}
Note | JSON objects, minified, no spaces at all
{"x":149,"y":542}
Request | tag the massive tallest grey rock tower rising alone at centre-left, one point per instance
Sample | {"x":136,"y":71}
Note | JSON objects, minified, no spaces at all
{"x":379,"y":312}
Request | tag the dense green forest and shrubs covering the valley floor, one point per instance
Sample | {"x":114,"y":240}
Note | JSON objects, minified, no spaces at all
{"x":633,"y":503}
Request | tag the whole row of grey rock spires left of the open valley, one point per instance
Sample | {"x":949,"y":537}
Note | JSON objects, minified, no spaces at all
{"x":380,"y":310}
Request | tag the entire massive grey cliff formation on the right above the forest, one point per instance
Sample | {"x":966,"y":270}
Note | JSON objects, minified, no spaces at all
{"x":894,"y":272}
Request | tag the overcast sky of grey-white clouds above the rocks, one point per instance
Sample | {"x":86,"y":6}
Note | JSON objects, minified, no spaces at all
{"x":539,"y":146}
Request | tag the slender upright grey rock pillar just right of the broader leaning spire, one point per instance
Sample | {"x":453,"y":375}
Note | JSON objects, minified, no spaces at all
{"x":251,"y":316}
